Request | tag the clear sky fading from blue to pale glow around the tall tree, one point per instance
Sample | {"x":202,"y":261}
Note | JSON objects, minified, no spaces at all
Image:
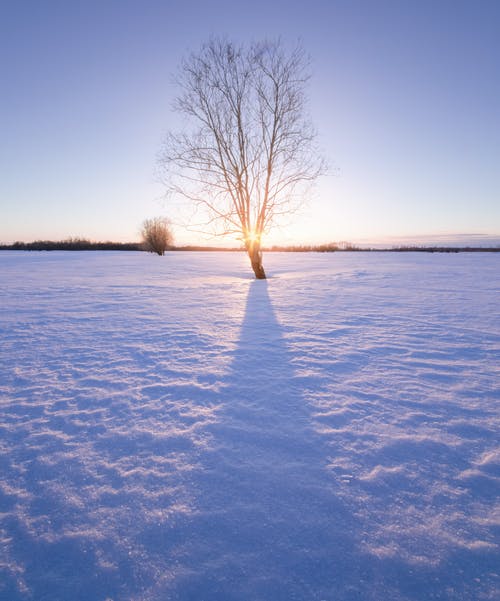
{"x":405,"y":96}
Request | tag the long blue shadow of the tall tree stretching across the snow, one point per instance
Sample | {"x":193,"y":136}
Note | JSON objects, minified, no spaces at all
{"x":268,"y":522}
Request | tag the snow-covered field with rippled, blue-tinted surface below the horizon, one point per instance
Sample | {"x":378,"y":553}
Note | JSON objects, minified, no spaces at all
{"x":171,"y":429}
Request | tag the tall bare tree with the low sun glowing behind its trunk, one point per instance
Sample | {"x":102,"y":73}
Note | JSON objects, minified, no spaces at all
{"x":249,"y":148}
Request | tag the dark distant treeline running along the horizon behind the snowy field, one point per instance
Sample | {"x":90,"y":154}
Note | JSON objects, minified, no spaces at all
{"x":84,"y":244}
